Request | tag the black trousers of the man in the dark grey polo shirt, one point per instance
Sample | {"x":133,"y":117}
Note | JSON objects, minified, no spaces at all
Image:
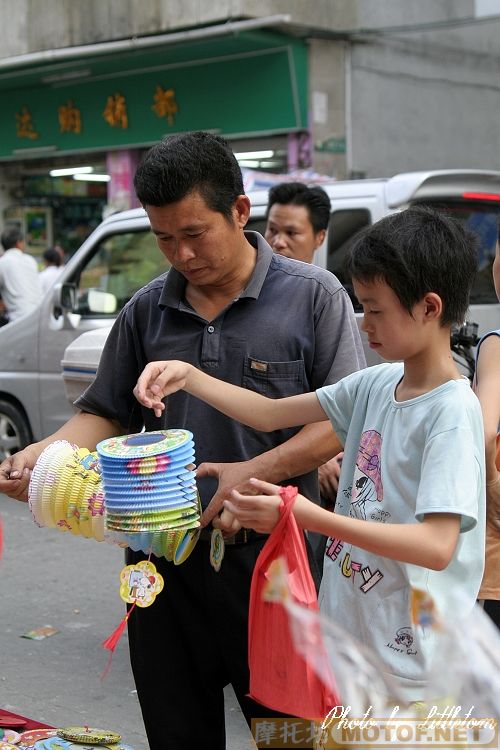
{"x":191,"y":643}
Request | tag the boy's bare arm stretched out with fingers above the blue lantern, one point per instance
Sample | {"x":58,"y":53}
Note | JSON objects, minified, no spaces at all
{"x":160,"y":379}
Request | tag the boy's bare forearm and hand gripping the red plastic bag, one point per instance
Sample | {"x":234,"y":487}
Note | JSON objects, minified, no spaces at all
{"x":430,"y":544}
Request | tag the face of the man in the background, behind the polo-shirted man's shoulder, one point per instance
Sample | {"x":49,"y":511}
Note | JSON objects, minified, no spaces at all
{"x":289,"y":232}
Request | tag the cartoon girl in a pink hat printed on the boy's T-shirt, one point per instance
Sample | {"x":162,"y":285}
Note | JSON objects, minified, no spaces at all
{"x":367,"y":482}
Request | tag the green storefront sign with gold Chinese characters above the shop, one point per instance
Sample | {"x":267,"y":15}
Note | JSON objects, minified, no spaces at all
{"x":240,"y":85}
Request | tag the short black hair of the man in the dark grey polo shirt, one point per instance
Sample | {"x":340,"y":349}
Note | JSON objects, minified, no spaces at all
{"x":180,"y":164}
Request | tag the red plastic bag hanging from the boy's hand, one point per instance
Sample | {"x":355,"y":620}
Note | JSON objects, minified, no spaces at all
{"x":279,"y":677}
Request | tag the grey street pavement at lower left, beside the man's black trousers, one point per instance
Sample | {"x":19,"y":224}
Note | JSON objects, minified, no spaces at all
{"x":70,"y":583}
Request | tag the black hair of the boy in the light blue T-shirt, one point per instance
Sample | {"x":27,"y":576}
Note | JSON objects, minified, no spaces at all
{"x":415,"y":252}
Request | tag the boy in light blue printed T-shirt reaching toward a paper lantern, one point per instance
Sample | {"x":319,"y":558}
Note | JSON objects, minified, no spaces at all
{"x":411,"y":503}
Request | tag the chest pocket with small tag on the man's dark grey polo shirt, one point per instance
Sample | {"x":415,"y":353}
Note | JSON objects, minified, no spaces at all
{"x":274,"y":379}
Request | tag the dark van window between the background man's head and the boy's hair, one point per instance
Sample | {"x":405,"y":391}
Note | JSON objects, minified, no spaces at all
{"x":344,"y":225}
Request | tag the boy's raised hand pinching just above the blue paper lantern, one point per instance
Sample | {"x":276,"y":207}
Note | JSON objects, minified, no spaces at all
{"x":160,"y":379}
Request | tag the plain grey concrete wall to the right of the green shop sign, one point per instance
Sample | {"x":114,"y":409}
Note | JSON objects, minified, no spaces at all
{"x":426,"y":101}
